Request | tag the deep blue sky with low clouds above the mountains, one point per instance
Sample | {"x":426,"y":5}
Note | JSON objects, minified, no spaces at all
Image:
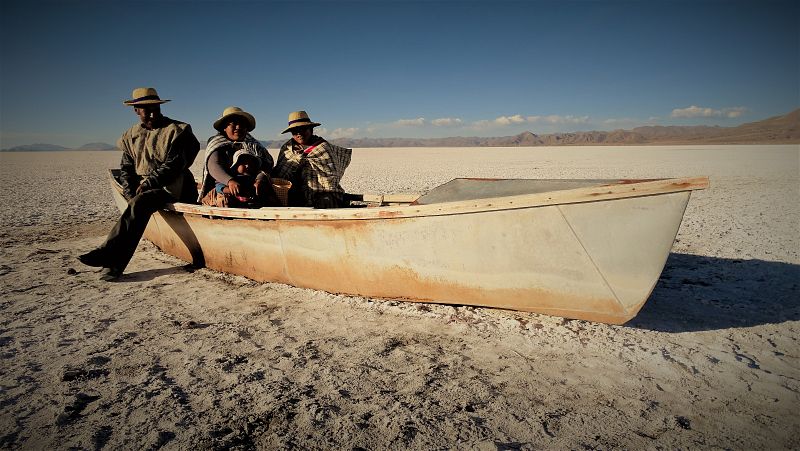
{"x":395,"y":68}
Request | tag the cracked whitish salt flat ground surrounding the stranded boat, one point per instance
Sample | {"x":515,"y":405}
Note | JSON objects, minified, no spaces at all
{"x":170,"y":356}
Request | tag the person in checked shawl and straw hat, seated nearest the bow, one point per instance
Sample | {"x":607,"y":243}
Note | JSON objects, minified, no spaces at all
{"x":314,"y":166}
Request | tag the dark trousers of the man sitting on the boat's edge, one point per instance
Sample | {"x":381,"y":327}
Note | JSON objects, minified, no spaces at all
{"x":124,"y":237}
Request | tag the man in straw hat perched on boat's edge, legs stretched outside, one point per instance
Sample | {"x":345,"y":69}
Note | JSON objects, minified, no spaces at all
{"x":154,"y":171}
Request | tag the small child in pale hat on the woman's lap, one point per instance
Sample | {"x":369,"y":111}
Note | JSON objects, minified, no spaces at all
{"x":246,"y":167}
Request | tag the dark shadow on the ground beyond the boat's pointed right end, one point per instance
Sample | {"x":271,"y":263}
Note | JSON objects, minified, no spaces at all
{"x":696,"y":293}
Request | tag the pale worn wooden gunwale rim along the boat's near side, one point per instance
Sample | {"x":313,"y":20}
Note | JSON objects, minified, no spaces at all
{"x":620,"y":190}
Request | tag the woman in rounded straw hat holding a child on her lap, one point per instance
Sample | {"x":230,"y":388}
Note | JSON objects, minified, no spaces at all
{"x":234,"y":127}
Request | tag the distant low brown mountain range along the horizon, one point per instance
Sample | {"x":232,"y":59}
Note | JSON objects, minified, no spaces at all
{"x":783,"y":129}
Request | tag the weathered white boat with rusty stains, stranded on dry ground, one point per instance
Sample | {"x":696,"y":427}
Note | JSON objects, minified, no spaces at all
{"x":584,"y":249}
